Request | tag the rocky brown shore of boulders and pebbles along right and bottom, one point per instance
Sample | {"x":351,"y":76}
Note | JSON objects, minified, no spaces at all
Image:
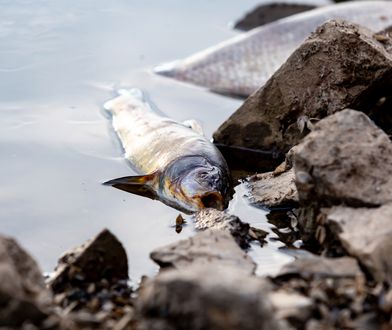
{"x":332,"y":126}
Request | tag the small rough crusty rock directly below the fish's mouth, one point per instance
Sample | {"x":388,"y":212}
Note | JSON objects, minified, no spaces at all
{"x":241,"y":231}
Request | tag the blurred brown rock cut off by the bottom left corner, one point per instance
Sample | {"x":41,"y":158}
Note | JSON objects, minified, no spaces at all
{"x":23,"y":295}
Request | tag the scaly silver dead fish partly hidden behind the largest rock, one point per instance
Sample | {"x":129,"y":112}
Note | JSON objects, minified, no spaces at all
{"x":244,"y":63}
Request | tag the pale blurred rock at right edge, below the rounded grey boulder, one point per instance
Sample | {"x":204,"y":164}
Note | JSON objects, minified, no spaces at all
{"x":367,"y":235}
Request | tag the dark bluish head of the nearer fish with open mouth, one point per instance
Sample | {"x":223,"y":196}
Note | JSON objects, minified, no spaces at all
{"x":195,"y":184}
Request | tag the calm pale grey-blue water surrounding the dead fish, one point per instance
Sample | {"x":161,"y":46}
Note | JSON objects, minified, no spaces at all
{"x":59,"y":62}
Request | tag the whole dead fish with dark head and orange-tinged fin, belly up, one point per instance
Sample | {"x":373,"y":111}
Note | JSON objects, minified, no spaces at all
{"x":179,"y":166}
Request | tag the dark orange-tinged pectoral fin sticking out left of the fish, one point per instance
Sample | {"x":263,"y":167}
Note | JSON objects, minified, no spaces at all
{"x":142,"y":185}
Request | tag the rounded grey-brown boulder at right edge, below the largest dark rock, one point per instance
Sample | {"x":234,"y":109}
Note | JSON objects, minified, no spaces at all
{"x":347,"y":160}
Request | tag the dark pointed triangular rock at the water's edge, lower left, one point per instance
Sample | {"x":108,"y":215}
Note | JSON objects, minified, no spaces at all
{"x":101,"y":258}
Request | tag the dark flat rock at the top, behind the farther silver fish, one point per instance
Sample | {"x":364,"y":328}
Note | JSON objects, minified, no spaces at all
{"x":270,"y":12}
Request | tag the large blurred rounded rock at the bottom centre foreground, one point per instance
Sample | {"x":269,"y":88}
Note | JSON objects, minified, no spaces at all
{"x":196,"y":298}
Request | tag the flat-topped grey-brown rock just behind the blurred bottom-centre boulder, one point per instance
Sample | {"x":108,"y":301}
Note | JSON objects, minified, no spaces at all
{"x":209,"y":248}
